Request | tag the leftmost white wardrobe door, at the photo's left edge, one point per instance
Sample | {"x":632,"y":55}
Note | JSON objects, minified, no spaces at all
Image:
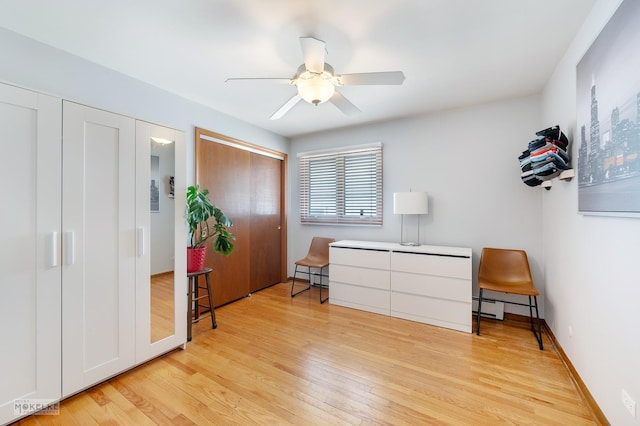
{"x":30,"y":278}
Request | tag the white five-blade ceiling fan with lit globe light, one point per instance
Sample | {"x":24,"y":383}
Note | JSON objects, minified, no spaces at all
{"x":316,"y":80}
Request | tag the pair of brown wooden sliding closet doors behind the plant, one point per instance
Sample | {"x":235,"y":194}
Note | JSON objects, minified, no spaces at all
{"x":246,"y":183}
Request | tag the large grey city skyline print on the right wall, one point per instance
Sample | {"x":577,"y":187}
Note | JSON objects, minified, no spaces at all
{"x":608,"y":117}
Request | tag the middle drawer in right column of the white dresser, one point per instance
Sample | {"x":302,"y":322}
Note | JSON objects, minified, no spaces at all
{"x":432,"y":286}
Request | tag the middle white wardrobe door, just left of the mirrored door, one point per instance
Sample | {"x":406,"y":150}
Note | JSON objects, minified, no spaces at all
{"x":99,"y":246}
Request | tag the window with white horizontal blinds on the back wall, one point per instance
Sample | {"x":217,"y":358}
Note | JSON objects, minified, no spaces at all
{"x":342,"y":187}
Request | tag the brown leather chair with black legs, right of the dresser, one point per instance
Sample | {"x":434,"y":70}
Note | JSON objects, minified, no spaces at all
{"x":507,"y":271}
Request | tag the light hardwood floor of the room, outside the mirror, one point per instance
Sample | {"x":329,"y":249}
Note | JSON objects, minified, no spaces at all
{"x":274,"y":360}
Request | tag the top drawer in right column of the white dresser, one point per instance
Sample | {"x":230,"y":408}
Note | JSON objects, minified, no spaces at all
{"x":428,"y":264}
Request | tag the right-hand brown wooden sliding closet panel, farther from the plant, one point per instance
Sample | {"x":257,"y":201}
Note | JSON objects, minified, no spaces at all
{"x":266,"y":220}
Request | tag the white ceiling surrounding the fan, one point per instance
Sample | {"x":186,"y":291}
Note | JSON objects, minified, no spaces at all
{"x":452,"y":52}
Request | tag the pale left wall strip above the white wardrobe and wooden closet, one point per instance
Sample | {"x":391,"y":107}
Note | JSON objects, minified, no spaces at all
{"x":33,"y":65}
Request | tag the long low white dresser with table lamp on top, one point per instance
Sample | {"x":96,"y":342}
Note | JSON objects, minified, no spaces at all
{"x":429,"y":284}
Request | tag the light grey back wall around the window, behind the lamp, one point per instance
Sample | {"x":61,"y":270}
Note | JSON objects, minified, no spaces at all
{"x":466,"y":159}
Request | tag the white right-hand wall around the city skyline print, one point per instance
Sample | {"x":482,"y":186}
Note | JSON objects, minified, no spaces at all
{"x":591,"y":262}
